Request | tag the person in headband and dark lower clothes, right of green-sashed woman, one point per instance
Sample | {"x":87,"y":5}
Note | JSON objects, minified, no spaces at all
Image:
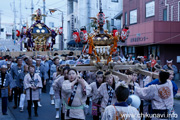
{"x":96,"y":102}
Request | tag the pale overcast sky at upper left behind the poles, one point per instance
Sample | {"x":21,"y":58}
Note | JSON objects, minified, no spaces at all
{"x":7,"y":6}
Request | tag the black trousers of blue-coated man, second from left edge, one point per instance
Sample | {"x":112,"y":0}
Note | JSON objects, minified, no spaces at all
{"x":17,"y":94}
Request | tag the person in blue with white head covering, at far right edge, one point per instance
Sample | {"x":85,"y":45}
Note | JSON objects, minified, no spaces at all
{"x":170,"y":66}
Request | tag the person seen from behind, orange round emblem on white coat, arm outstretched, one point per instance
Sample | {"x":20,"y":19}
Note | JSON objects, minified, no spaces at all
{"x":161,"y":96}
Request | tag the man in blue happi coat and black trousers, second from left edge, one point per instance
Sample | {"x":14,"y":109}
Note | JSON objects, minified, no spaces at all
{"x":15,"y":71}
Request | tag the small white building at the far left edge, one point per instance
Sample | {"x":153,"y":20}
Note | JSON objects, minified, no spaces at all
{"x":6,"y":31}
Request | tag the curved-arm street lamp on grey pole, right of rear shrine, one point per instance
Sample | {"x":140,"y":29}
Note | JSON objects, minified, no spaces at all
{"x":60,"y":42}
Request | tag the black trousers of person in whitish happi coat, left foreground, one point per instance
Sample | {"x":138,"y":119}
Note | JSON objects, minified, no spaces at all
{"x":30,"y":106}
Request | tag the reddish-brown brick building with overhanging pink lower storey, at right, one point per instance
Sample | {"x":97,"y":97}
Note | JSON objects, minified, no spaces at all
{"x":154,"y":28}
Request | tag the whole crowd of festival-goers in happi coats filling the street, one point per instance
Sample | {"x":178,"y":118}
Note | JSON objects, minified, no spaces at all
{"x":77,"y":93}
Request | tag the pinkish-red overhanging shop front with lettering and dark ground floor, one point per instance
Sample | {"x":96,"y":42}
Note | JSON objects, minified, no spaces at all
{"x":160,"y":38}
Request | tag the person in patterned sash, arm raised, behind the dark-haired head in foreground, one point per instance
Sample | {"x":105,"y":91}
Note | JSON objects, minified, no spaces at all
{"x":106,"y":90}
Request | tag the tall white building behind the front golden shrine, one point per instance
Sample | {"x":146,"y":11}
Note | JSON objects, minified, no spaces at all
{"x":79,"y":11}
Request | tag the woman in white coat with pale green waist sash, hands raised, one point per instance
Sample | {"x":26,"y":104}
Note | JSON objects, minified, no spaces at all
{"x":75,"y":92}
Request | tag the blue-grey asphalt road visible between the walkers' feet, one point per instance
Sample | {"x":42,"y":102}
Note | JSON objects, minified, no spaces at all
{"x":47,"y":111}
